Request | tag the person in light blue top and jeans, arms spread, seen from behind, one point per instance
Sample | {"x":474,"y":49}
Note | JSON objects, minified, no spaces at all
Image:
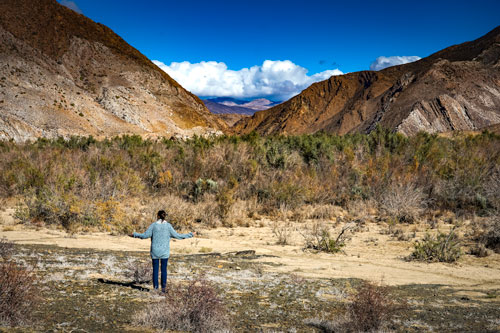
{"x":160,"y":233}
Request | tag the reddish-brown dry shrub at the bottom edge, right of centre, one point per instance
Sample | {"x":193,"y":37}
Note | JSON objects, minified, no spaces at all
{"x":371,"y":308}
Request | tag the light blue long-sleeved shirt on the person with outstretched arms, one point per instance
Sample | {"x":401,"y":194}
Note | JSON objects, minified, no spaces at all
{"x":160,"y":233}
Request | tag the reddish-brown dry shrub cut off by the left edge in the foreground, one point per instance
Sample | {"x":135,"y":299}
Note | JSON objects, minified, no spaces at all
{"x":18,"y":294}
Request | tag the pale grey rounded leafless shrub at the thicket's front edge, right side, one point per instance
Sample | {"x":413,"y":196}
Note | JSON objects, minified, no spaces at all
{"x":405,"y":202}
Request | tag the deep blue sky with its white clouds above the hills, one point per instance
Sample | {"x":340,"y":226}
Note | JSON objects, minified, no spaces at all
{"x":315,"y":36}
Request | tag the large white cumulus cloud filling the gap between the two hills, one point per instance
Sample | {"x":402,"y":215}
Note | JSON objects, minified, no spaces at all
{"x":278,"y":80}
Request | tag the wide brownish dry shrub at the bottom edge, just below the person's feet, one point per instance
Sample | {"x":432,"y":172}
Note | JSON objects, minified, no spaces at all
{"x":195,"y":307}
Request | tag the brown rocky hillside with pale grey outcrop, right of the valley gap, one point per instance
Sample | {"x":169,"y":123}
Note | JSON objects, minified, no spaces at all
{"x":457,"y":88}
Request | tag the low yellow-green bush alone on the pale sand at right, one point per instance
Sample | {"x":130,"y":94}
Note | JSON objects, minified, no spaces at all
{"x":442,"y":247}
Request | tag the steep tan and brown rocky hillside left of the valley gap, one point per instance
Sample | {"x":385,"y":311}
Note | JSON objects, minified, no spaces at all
{"x":62,"y":74}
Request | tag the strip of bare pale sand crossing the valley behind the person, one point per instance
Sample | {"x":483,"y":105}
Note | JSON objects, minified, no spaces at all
{"x":368,"y":255}
